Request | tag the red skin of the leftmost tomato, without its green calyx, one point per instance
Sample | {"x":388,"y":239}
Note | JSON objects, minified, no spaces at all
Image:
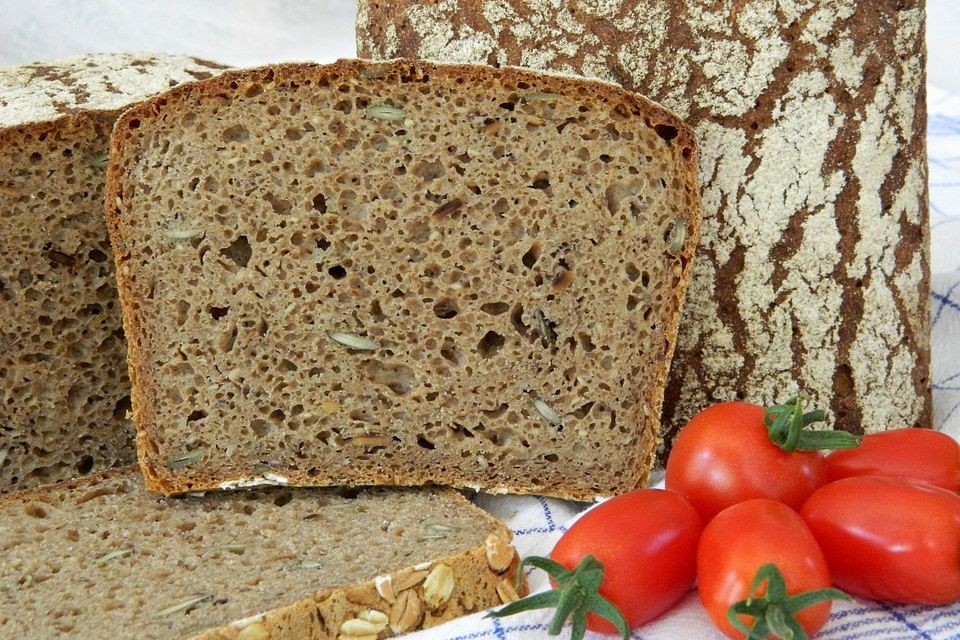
{"x":647,"y":543}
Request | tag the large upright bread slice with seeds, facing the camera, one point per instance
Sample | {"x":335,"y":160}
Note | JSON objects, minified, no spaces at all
{"x":400,"y":273}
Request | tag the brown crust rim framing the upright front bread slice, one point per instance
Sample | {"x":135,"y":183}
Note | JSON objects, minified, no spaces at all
{"x":147,"y":385}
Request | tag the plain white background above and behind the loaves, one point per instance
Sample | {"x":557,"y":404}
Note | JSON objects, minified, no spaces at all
{"x":250,"y":32}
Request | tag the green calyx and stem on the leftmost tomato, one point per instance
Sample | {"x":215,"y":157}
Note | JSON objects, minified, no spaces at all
{"x":576,"y":595}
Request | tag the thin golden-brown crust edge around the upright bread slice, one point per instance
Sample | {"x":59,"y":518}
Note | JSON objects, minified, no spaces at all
{"x":161,"y":479}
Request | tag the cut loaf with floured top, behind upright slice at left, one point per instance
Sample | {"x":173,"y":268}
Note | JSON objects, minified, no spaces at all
{"x":64,"y":393}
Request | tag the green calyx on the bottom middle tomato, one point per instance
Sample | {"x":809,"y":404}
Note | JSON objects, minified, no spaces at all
{"x":775,"y":613}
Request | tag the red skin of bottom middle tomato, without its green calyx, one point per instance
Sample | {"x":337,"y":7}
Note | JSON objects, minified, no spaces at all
{"x":743,"y":538}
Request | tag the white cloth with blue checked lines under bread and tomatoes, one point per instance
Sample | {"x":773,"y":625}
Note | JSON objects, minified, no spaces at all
{"x":539,"y":522}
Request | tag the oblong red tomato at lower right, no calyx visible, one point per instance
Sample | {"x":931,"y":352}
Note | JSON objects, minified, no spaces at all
{"x":889,"y":539}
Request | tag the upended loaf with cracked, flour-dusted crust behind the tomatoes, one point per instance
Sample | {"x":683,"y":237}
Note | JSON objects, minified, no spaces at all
{"x":813,"y":271}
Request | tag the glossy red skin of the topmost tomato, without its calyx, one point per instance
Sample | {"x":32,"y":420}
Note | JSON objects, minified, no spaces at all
{"x":724,"y":455}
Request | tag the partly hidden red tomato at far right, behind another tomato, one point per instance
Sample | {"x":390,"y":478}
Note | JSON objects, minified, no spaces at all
{"x":921,"y":455}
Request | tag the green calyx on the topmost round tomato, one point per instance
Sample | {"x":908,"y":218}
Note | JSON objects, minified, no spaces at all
{"x":788,"y":425}
